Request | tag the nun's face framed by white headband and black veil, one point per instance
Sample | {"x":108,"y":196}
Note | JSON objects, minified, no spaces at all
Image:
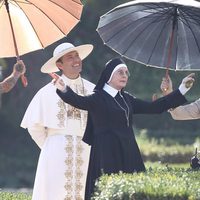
{"x":119,"y":78}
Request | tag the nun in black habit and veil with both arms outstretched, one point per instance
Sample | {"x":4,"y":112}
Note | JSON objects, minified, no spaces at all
{"x":109,"y":128}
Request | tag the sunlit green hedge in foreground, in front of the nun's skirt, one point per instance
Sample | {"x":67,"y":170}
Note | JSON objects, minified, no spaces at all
{"x":154,"y":184}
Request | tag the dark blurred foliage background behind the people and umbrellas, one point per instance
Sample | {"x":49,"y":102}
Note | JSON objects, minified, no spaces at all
{"x":19,"y":154}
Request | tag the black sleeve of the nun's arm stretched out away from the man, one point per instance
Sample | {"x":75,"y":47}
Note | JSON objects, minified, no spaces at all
{"x":160,"y":105}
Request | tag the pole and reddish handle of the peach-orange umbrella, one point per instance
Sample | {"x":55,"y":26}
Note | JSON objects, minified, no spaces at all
{"x":23,"y":77}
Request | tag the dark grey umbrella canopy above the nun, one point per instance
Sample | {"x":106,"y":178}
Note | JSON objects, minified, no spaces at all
{"x":163,"y":34}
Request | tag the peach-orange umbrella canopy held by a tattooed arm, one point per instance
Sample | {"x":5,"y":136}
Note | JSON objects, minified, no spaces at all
{"x":29,"y":25}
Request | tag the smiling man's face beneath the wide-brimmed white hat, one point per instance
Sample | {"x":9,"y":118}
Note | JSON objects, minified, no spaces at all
{"x":70,"y":64}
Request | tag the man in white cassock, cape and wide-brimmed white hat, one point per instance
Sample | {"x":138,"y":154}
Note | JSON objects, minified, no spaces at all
{"x":58,"y":128}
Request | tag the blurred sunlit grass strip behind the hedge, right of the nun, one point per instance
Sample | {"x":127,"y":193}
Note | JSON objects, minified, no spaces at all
{"x":165,"y":150}
